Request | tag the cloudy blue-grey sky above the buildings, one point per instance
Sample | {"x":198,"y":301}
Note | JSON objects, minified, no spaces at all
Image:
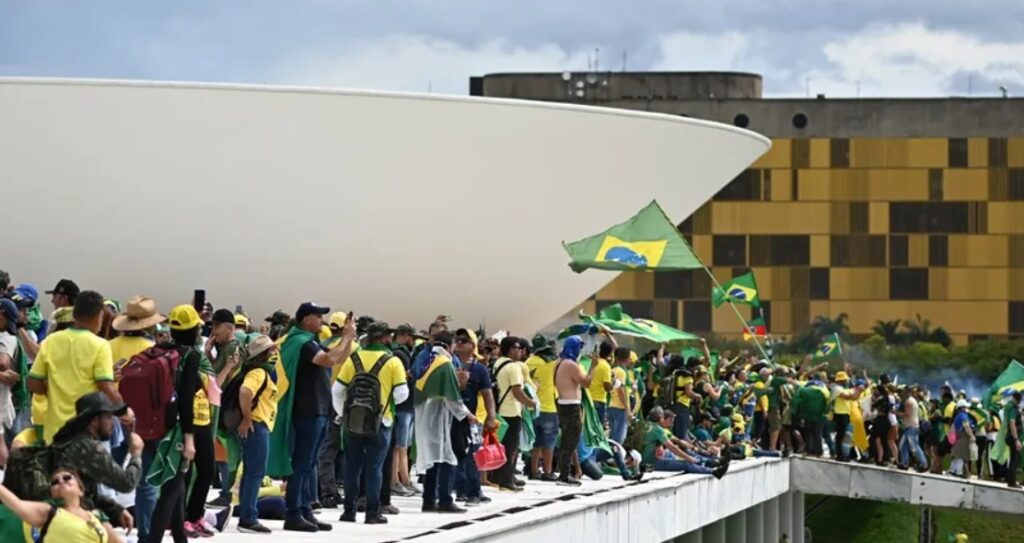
{"x":885,"y":48}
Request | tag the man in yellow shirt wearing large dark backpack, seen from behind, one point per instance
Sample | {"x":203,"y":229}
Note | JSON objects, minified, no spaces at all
{"x":367,"y":453}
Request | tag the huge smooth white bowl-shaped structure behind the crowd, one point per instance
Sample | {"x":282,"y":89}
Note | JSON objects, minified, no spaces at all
{"x":401,"y":206}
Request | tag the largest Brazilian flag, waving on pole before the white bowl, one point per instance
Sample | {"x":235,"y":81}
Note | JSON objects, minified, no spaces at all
{"x":649,"y":241}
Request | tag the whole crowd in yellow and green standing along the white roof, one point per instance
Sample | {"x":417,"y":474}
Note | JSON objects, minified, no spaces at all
{"x":119,"y":416}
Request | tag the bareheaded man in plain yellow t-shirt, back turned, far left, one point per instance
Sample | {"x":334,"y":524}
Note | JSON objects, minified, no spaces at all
{"x":73,"y":363}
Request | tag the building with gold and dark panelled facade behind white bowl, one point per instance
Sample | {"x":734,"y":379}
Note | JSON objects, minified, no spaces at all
{"x":882,"y":210}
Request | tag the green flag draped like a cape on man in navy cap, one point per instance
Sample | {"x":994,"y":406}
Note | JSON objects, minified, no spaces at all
{"x":280,"y":463}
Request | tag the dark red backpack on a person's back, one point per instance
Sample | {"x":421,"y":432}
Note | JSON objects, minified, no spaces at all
{"x":148,"y":388}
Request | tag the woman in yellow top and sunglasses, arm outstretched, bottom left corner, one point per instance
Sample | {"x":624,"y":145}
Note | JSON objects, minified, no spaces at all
{"x":67,"y":524}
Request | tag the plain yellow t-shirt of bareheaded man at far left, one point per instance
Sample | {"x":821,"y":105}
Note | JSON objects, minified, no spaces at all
{"x":71,"y":362}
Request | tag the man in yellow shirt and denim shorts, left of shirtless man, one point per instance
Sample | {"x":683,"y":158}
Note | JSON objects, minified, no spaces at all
{"x":542,"y":371}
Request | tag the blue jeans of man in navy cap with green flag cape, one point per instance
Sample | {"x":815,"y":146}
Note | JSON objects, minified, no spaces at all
{"x":309,"y":435}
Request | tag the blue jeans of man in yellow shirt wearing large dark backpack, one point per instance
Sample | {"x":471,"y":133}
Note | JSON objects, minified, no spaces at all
{"x":366,"y":453}
